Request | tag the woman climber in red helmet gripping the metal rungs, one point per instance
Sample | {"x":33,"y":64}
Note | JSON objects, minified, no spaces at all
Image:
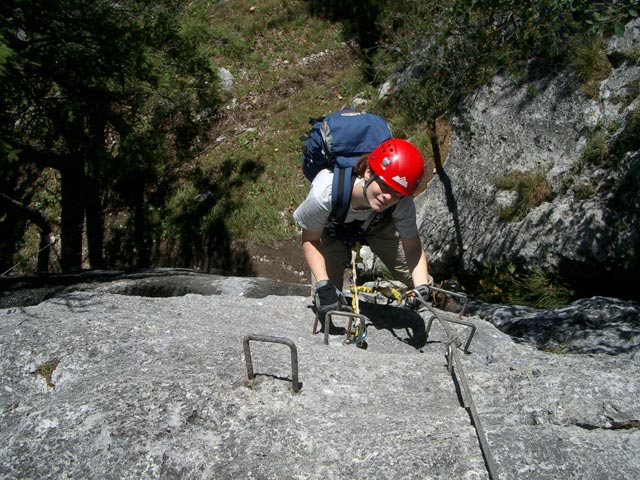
{"x":381,"y":214}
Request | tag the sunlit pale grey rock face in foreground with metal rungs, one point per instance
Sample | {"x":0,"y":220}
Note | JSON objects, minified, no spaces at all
{"x":101,"y":383}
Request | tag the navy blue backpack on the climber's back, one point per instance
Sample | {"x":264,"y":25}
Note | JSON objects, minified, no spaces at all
{"x":337,"y":142}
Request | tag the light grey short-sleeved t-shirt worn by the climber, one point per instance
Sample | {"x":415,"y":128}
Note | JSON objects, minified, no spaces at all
{"x":313,"y":213}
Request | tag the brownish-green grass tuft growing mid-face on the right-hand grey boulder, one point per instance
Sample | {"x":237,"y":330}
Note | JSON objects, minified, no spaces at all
{"x":532,"y":190}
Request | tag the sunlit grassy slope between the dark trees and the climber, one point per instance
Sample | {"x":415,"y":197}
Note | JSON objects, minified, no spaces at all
{"x":287,"y":68}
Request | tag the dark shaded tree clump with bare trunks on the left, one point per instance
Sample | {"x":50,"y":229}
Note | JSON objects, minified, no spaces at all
{"x":109,"y":94}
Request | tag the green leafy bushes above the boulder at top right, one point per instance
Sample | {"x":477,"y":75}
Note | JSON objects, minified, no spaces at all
{"x":458,"y":45}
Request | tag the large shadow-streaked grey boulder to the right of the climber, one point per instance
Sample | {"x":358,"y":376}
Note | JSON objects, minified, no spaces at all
{"x":586,"y":229}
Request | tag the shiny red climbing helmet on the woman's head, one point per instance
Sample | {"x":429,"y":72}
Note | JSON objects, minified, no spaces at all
{"x":399,"y":164}
